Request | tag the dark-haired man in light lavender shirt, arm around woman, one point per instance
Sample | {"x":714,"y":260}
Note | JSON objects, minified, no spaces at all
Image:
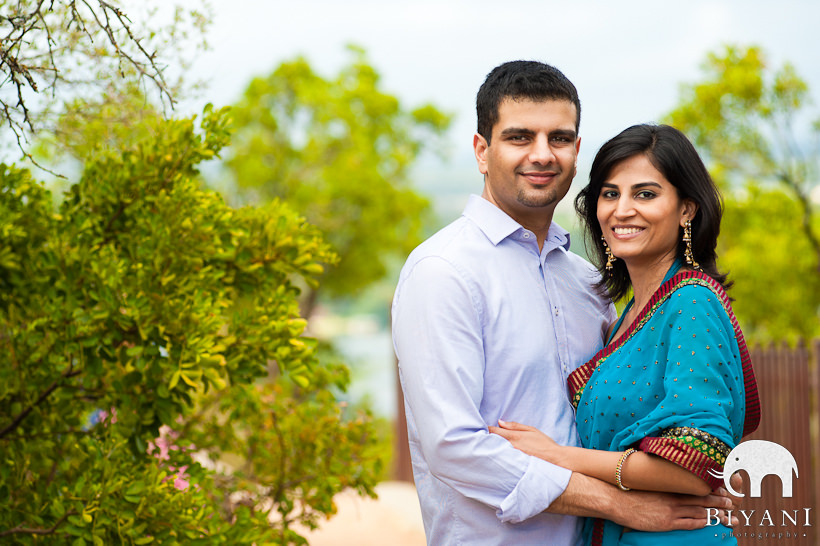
{"x":490,"y":316}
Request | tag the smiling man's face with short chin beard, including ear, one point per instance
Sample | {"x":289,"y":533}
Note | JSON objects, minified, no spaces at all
{"x":531,"y":161}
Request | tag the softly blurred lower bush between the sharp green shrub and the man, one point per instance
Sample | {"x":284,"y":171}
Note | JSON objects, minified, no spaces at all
{"x":292,"y":448}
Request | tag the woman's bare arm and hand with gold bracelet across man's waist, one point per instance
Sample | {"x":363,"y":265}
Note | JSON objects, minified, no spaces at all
{"x":640,"y":470}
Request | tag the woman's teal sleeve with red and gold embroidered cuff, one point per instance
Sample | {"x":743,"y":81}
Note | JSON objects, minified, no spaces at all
{"x":700,"y":415}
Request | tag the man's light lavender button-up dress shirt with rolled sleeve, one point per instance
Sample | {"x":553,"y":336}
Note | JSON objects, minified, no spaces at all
{"x":486,"y":328}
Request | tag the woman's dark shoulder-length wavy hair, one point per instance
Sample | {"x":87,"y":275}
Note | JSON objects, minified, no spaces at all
{"x":673,"y":155}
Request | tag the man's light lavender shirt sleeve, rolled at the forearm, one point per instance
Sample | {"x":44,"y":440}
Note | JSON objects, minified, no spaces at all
{"x":437,"y":336}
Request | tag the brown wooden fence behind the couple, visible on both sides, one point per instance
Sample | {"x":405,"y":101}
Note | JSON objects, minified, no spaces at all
{"x":789,"y":384}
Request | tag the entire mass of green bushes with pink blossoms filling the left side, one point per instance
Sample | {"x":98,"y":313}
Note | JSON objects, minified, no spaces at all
{"x":137,"y":326}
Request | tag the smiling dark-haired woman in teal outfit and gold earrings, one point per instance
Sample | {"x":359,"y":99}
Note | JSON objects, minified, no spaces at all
{"x":673,"y":391}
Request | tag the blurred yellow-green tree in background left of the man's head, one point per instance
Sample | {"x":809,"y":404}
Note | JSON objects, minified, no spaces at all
{"x":338,"y":151}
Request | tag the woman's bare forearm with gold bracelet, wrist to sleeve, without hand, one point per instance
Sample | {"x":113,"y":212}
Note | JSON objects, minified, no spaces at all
{"x":639,"y":471}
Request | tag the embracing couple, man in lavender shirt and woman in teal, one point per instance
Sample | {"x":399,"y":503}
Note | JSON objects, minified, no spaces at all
{"x":534,"y":415}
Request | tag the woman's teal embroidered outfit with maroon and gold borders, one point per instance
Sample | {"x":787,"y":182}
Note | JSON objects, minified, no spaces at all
{"x":678,"y":384}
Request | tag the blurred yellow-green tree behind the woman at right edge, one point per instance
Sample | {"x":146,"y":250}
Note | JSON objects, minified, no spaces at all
{"x":753,"y":125}
